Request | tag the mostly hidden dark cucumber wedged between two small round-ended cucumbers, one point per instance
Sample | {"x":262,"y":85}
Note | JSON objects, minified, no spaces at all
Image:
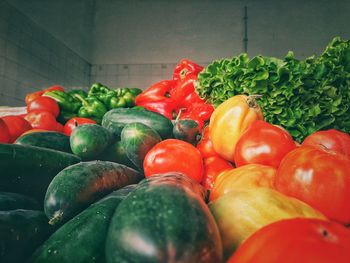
{"x":116,"y":153}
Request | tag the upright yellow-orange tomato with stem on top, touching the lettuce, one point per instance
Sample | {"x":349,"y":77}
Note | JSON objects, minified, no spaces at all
{"x":229,"y":120}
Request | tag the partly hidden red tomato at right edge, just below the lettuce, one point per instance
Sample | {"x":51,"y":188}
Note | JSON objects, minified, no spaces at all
{"x":331,"y":139}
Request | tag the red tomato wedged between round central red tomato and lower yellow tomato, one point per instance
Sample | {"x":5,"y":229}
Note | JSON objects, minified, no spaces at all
{"x":213,"y":166}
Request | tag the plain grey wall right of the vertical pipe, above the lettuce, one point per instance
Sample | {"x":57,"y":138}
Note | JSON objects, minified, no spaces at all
{"x":303,"y":26}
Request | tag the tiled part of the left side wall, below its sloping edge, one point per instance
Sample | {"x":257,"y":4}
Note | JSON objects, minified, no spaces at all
{"x":32,"y":59}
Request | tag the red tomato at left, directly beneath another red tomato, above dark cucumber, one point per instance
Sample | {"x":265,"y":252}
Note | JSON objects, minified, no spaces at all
{"x":42,"y":120}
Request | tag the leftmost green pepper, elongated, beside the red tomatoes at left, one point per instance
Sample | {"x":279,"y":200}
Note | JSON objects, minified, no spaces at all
{"x":65,"y":101}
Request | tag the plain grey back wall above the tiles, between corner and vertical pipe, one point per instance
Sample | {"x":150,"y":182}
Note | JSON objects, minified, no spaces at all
{"x":158,"y":31}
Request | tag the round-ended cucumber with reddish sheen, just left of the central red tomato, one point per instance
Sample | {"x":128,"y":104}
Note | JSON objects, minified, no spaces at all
{"x":137,"y":139}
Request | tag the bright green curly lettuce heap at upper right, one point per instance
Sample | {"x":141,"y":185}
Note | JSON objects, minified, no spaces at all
{"x":303,"y":96}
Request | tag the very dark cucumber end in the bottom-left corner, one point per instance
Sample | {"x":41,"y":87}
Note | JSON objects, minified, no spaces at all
{"x":21,"y":232}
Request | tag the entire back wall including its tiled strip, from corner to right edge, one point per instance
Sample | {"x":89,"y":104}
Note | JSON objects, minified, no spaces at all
{"x":138,"y":42}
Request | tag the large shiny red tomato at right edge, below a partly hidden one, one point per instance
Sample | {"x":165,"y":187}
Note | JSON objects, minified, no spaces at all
{"x":318,"y":177}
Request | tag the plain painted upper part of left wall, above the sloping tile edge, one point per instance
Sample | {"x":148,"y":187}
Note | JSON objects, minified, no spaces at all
{"x":70,"y":21}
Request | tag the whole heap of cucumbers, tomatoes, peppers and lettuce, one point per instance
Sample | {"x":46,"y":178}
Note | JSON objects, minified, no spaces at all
{"x":235,"y":162}
